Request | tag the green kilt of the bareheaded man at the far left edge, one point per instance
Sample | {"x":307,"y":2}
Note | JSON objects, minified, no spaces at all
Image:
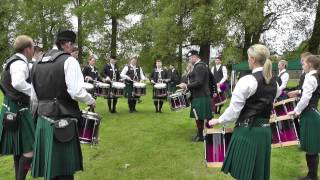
{"x":19,"y":141}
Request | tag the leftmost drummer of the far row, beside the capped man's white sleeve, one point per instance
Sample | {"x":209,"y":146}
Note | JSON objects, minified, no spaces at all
{"x":90,"y":72}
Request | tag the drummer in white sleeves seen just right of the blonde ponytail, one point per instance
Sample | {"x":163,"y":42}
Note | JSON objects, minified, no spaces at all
{"x":283,"y":77}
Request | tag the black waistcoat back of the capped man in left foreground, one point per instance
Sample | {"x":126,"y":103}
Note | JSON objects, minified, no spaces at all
{"x":48,"y":79}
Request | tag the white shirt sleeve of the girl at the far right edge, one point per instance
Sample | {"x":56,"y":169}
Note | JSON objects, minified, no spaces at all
{"x":310,"y":84}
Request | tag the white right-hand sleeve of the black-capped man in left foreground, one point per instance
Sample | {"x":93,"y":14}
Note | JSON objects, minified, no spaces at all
{"x":75,"y":82}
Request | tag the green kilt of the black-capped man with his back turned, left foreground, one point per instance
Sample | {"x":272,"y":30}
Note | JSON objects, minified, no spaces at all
{"x":53,"y":158}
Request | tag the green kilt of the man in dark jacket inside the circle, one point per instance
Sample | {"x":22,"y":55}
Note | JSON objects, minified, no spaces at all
{"x":201,"y":108}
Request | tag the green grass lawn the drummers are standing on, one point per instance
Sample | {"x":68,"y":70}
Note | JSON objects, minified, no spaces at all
{"x":157,"y":146}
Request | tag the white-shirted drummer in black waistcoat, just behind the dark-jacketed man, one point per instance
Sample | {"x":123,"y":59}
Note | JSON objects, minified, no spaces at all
{"x":220,"y":74}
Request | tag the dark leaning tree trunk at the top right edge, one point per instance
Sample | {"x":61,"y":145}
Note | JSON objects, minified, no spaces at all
{"x":315,"y":37}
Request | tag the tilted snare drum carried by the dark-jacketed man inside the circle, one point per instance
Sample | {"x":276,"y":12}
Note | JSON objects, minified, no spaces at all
{"x":179,"y":100}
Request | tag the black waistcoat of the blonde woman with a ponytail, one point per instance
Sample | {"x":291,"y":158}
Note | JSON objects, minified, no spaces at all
{"x":260,"y":104}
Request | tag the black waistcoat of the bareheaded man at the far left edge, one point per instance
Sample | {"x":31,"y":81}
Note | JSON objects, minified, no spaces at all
{"x":6,"y":82}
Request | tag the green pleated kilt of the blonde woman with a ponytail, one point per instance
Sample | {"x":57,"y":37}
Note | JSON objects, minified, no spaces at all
{"x":248,"y":154}
